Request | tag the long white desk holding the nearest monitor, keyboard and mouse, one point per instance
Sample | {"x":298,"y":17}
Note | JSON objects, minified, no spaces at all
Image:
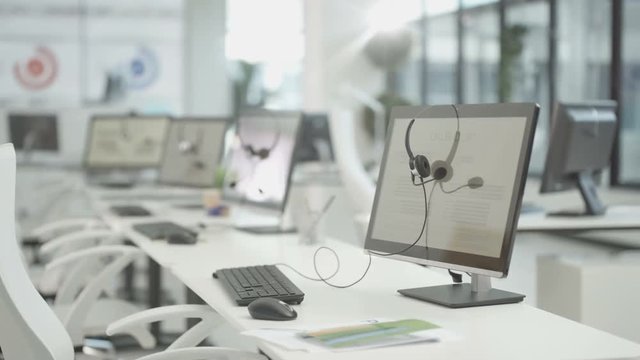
{"x":515,"y":331}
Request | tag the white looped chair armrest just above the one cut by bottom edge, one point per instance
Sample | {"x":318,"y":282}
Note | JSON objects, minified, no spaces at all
{"x":136,"y":325}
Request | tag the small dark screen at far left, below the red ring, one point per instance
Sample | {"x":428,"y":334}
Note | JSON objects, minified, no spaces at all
{"x":29,"y":131}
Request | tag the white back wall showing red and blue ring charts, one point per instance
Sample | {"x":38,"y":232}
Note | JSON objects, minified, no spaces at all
{"x":86,"y":40}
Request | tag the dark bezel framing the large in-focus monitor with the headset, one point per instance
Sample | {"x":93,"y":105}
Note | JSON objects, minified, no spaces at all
{"x":495,"y":267}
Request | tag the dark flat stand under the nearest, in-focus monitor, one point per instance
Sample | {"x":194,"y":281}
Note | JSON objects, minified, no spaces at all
{"x":478,"y":293}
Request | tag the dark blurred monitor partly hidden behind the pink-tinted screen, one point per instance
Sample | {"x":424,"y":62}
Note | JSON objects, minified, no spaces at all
{"x":315,"y":139}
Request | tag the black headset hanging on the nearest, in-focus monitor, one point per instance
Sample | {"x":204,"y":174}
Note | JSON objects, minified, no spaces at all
{"x":440,"y":170}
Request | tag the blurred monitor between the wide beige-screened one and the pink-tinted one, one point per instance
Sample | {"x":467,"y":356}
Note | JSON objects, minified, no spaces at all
{"x":193,"y":151}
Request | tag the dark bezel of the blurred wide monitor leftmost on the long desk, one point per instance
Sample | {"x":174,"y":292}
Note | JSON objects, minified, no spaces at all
{"x":136,"y":117}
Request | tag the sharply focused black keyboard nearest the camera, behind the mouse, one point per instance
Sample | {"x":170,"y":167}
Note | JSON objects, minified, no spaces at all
{"x":246,"y":284}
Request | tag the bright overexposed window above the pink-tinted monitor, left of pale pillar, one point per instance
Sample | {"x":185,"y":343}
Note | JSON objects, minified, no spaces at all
{"x":265,"y":44}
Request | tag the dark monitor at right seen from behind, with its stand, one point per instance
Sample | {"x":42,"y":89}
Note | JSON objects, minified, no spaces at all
{"x":579,"y":149}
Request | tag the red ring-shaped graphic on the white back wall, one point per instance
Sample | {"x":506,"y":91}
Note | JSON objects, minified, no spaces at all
{"x":37,"y":72}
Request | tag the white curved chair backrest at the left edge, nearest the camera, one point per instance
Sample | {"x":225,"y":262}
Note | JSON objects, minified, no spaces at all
{"x":29,"y":330}
